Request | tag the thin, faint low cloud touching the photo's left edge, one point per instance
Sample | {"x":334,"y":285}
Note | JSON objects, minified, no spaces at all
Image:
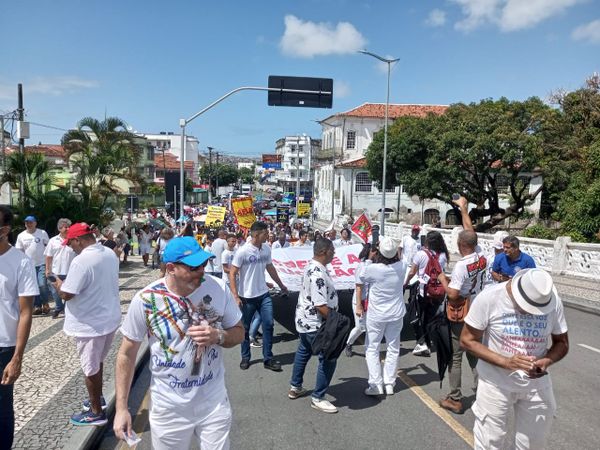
{"x":47,"y":86}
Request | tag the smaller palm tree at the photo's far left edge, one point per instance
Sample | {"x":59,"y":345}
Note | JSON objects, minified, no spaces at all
{"x":37,"y":172}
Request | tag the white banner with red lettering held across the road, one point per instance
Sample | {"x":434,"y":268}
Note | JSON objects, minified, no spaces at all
{"x":291,"y":261}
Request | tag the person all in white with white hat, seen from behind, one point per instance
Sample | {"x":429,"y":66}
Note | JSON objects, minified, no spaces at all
{"x":386,"y":310}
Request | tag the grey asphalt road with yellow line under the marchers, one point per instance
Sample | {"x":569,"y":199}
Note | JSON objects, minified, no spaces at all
{"x":264,"y":418}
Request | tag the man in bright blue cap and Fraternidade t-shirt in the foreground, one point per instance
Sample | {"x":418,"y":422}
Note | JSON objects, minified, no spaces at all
{"x":189,"y":318}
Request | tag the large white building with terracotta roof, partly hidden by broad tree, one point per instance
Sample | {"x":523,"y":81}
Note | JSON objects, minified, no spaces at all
{"x":347,"y":189}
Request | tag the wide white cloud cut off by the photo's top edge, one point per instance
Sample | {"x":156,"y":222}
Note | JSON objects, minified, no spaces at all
{"x":509,"y":15}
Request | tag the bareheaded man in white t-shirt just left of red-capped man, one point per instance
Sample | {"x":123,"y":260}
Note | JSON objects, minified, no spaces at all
{"x":58,"y":260}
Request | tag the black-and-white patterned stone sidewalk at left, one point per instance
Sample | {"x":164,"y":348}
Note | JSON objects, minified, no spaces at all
{"x":51,"y":387}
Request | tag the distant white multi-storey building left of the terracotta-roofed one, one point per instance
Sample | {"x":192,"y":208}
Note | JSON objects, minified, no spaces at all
{"x":296,"y":162}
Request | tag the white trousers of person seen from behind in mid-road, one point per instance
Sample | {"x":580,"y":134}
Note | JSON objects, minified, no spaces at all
{"x":375,"y":333}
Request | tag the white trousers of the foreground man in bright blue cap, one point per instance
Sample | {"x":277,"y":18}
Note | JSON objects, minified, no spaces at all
{"x":174,"y":428}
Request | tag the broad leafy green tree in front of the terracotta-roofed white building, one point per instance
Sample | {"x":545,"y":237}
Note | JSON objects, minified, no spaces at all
{"x":474,"y":150}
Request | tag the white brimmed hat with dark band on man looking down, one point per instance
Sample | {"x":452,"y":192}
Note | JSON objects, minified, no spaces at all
{"x":534,"y":292}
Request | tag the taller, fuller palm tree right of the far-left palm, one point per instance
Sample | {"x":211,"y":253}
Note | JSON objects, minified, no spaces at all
{"x":102,"y":152}
